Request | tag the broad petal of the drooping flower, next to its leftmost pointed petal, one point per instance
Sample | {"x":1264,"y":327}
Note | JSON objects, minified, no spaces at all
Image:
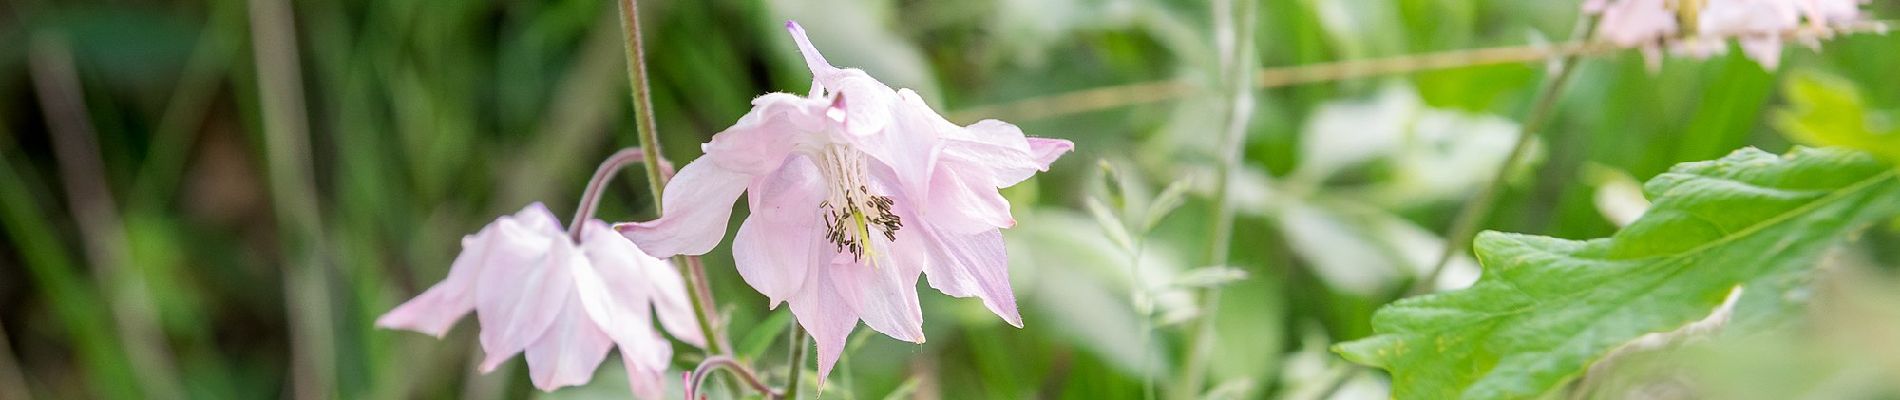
{"x":518,"y":300}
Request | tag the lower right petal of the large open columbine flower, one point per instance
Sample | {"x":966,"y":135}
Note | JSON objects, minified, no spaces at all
{"x":970,"y":266}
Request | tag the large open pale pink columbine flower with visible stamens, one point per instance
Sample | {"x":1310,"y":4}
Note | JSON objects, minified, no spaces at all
{"x":856,"y":191}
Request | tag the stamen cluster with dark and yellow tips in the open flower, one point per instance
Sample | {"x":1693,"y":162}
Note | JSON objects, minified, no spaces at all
{"x":852,"y":213}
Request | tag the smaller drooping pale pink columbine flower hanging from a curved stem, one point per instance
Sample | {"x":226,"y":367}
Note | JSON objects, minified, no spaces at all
{"x":563,"y":302}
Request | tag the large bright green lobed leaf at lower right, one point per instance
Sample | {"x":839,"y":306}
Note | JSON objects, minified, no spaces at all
{"x":1548,"y":308}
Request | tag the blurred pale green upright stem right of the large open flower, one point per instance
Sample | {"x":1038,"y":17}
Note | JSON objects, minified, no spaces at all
{"x":1236,"y":24}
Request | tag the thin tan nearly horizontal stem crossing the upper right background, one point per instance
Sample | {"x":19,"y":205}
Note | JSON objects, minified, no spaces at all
{"x":1097,"y":100}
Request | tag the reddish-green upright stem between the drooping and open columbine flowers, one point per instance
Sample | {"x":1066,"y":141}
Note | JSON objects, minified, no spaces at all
{"x":656,"y":181}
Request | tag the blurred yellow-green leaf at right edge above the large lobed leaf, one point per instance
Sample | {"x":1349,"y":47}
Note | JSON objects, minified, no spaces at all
{"x":1827,"y":111}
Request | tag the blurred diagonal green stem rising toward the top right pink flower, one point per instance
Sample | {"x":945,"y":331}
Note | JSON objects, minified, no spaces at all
{"x":1481,"y":206}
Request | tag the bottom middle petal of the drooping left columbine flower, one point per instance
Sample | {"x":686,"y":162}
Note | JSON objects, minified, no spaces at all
{"x":571,"y":350}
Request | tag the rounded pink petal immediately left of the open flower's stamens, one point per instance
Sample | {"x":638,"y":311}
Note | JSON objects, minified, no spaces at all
{"x":776,"y":245}
